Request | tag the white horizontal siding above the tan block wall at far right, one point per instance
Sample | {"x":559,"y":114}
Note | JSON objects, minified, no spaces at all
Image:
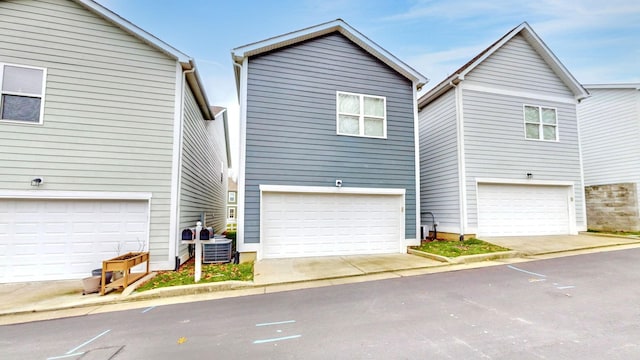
{"x":609,"y":130}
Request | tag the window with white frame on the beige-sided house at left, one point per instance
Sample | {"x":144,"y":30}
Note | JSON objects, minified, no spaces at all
{"x":22,"y":93}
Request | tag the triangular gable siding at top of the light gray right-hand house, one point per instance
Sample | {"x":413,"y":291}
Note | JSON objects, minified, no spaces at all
{"x":517,"y":66}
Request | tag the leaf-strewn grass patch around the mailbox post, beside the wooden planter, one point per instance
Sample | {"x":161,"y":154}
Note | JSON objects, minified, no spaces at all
{"x":210,"y":273}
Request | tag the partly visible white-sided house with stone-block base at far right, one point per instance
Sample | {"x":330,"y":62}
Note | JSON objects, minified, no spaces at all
{"x":609,"y":132}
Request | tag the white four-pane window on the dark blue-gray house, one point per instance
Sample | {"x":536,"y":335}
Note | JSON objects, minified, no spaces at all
{"x":361,"y":115}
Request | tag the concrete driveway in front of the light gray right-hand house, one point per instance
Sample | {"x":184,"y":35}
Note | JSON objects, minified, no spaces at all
{"x":539,"y":245}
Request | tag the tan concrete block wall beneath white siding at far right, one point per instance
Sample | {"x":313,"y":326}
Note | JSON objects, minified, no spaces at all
{"x":613,"y":207}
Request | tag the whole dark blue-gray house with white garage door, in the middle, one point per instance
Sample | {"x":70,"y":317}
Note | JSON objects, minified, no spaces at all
{"x":328,"y":159}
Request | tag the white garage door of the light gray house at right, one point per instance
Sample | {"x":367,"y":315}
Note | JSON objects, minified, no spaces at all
{"x":516,"y":210}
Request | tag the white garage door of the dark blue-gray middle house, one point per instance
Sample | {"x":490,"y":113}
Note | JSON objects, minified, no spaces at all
{"x":299,"y":225}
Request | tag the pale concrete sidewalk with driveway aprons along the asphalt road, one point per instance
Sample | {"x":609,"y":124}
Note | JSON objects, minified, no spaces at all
{"x":22,"y":302}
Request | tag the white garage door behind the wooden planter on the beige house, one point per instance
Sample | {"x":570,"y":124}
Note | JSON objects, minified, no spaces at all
{"x":66,"y":239}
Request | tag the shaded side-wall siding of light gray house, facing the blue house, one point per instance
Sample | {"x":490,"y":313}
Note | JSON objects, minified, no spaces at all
{"x":439,"y":176}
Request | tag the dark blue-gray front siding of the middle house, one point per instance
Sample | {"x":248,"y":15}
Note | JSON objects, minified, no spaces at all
{"x":291,"y":124}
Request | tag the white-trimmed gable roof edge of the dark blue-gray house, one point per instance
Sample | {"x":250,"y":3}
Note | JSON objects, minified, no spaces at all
{"x":240,"y":53}
